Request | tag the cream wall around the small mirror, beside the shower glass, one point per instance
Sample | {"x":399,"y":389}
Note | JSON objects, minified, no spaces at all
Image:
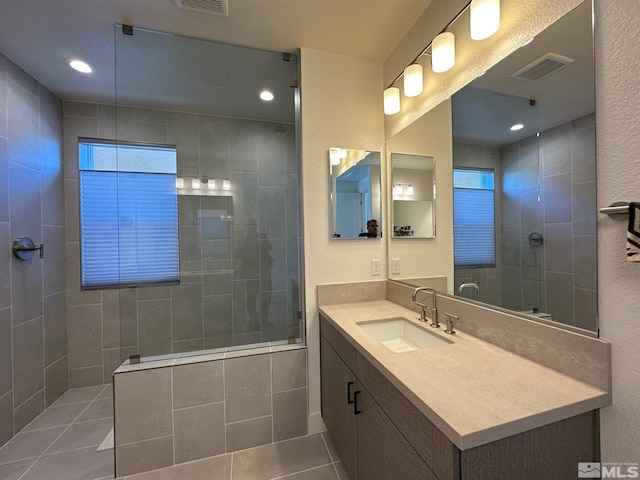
{"x":341,"y":107}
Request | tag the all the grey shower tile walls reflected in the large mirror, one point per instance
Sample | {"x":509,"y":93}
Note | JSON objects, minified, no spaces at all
{"x":562,"y":169}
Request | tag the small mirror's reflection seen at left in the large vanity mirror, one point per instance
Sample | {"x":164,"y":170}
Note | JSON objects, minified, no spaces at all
{"x":413,"y":196}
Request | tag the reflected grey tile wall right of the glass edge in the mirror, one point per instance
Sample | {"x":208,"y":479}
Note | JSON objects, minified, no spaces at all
{"x":567,"y":157}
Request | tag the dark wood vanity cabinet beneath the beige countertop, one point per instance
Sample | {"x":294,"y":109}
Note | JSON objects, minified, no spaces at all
{"x":391,"y":438}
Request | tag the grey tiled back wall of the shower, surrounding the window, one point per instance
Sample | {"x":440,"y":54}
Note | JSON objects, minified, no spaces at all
{"x":237,"y":247}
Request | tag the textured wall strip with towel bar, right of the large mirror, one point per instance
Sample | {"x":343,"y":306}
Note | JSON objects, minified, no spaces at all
{"x":618,"y":147}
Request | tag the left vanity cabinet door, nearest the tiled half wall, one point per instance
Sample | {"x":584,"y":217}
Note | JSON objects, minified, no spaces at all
{"x":338,"y":387}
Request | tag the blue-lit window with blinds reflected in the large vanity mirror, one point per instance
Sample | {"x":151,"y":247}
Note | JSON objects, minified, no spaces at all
{"x":474,"y":242}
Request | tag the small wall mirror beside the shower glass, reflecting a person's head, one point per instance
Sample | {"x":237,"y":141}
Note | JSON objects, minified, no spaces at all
{"x":356,"y":201}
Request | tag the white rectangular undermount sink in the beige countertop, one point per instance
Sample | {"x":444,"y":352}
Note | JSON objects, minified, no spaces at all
{"x":400,"y":335}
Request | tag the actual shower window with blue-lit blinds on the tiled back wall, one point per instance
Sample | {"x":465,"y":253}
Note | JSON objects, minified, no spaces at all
{"x":128,"y":215}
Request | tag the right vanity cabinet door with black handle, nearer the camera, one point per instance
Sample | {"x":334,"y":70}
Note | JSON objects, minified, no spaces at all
{"x":383,"y":452}
